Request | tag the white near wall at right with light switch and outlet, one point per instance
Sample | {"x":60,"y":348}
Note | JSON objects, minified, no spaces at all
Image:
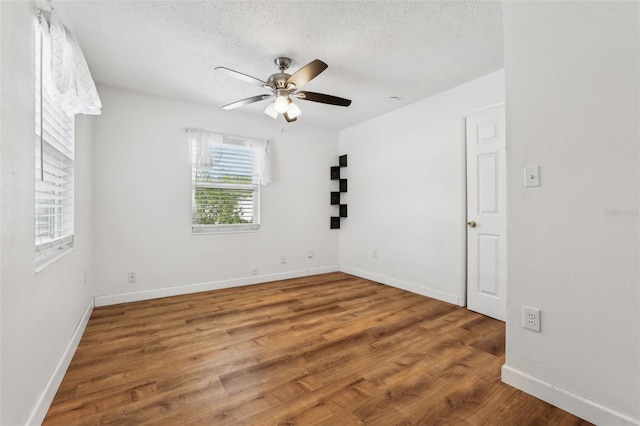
{"x":572,"y":79}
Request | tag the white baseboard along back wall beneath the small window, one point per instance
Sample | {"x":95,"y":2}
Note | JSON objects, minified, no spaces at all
{"x":136,"y":296}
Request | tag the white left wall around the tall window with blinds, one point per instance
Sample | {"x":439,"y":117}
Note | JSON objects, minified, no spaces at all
{"x":39,"y":312}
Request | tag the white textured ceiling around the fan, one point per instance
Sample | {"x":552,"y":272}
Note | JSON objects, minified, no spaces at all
{"x":376,"y":51}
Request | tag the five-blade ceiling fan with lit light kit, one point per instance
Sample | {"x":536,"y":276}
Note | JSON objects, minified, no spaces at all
{"x":284,"y":87}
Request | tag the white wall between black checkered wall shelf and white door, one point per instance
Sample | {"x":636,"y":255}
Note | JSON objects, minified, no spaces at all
{"x":406,"y":192}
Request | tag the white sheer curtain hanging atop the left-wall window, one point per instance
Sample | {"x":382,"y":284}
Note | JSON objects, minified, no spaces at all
{"x":65,"y":67}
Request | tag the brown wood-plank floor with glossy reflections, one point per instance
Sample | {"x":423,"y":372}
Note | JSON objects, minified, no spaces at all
{"x":329,"y":349}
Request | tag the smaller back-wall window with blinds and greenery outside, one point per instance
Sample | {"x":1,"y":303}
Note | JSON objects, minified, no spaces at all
{"x":226,"y":175}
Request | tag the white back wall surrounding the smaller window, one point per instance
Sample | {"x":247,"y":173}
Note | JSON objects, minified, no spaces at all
{"x":142,"y":195}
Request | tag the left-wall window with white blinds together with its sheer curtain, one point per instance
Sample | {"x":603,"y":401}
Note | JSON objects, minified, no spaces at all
{"x":63,"y":88}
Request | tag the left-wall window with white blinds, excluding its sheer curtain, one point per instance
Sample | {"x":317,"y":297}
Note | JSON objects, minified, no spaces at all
{"x":54,"y":170}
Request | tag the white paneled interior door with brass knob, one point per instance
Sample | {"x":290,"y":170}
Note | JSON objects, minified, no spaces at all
{"x":486,"y":213}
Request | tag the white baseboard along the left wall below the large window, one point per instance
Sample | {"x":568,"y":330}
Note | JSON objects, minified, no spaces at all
{"x":46,"y":397}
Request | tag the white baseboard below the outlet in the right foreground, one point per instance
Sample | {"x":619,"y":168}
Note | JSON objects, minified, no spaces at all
{"x":568,"y":401}
